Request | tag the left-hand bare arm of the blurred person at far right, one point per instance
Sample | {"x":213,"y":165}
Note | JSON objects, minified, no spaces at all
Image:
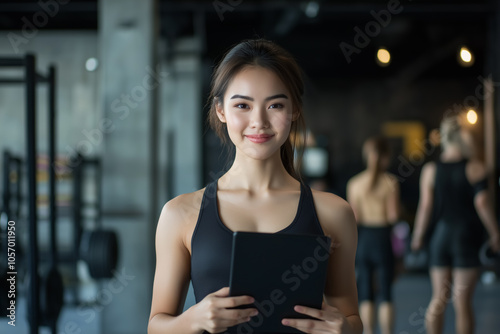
{"x":424,"y":209}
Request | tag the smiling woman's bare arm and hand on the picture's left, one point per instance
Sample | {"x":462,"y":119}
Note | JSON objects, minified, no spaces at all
{"x":214,"y":313}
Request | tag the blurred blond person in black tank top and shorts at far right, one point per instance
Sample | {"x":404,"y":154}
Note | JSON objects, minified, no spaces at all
{"x":454,"y":189}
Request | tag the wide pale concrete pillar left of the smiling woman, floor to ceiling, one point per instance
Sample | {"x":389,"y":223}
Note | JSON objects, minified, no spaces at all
{"x":129,"y":85}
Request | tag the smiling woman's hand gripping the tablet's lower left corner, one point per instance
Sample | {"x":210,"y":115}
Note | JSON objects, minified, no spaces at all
{"x":215,"y":312}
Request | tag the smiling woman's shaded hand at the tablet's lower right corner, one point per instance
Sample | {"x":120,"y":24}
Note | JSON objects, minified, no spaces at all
{"x":330,"y":320}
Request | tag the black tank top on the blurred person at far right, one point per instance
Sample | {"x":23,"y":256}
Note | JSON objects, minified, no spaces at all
{"x":454,"y":195}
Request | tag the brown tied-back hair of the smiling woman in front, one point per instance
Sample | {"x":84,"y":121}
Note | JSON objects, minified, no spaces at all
{"x":266,"y":54}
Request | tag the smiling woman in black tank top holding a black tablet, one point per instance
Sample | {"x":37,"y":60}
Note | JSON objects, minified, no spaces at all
{"x":256,"y":99}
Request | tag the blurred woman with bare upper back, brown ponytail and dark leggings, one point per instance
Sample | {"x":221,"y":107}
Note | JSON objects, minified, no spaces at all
{"x":374,"y":197}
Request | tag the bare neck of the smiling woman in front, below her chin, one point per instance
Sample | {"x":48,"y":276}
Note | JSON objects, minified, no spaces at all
{"x":257,"y":175}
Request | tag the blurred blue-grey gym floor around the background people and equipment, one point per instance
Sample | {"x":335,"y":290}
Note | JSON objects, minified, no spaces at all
{"x":411,"y":296}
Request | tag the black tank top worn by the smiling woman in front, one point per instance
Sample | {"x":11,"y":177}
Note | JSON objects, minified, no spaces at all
{"x":211,"y":242}
